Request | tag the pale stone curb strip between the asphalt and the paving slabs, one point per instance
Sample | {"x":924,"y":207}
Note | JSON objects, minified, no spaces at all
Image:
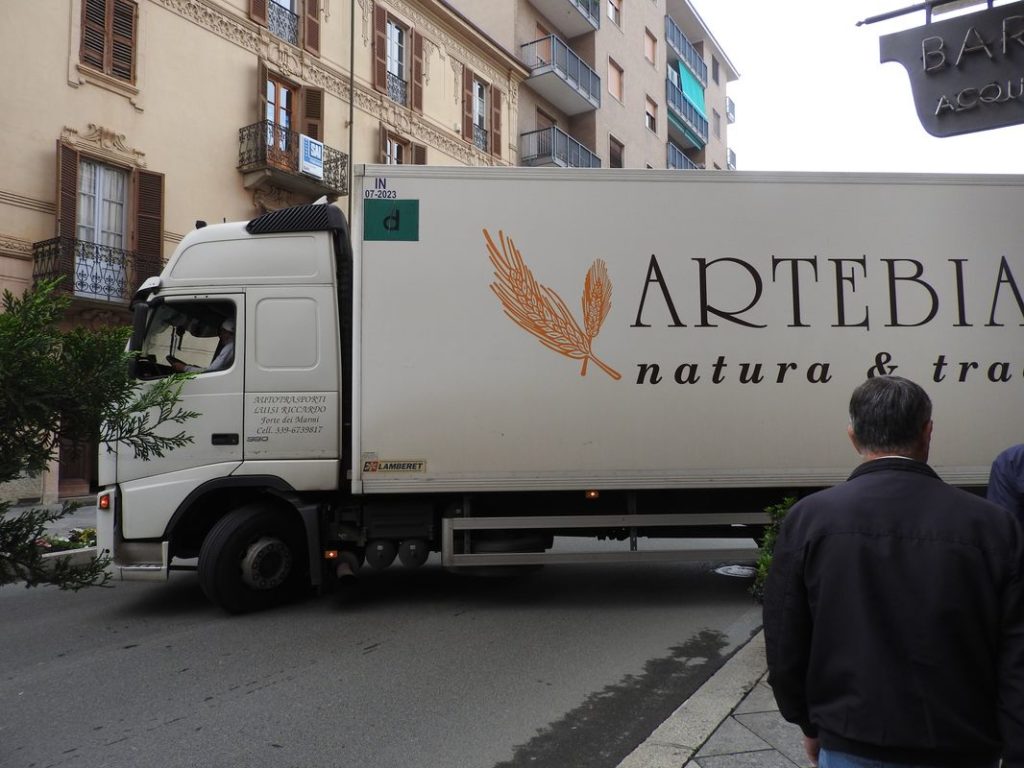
{"x":673,"y":743}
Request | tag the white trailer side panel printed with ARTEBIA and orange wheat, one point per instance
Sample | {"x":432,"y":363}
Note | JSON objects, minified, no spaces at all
{"x":524,"y":330}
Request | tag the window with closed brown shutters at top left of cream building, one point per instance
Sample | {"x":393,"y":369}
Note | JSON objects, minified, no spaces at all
{"x":109,"y":29}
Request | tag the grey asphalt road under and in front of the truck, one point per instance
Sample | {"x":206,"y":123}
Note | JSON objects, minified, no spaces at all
{"x":572,"y":666}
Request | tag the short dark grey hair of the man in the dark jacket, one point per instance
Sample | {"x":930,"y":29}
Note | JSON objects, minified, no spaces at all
{"x":888,"y":414}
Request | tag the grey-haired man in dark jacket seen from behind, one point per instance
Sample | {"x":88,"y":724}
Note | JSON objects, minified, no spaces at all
{"x":894,"y":609}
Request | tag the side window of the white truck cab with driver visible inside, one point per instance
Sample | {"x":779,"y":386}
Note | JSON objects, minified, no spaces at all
{"x":197,"y":336}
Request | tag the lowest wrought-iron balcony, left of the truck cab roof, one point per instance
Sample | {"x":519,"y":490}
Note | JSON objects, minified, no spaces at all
{"x":92,"y":271}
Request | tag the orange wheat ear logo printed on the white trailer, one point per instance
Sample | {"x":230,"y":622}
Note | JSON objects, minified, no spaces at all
{"x":541,"y":312}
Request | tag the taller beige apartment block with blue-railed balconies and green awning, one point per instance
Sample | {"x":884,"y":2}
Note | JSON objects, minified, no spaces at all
{"x":616,"y":83}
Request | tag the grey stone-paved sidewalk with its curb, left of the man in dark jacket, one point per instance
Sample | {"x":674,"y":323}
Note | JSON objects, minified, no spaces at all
{"x":731,"y":722}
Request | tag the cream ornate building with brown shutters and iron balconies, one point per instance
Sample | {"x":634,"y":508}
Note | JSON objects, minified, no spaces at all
{"x":130,"y":121}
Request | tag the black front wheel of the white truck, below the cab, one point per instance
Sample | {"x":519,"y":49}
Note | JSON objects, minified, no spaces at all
{"x":253,"y":559}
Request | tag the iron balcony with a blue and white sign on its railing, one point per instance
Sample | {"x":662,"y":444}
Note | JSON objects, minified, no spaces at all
{"x":269,"y":156}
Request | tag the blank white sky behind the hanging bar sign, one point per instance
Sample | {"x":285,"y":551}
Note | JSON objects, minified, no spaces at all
{"x":814,"y":97}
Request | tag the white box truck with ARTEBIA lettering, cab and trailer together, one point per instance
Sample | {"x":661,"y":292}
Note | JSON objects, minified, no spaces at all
{"x":494,"y":358}
